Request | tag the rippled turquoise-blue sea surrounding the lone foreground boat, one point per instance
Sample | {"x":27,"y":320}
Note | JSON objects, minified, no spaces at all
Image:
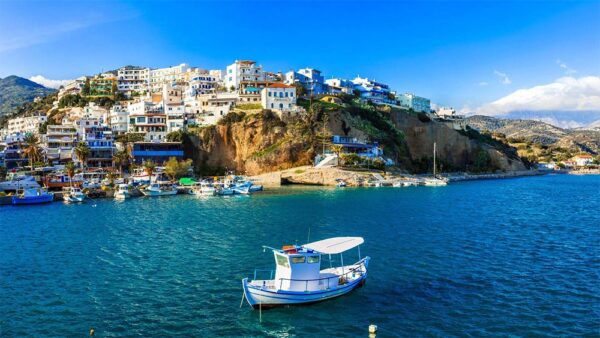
{"x":515,"y":257}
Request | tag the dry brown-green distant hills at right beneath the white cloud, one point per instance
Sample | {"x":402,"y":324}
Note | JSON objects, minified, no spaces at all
{"x":587,"y":140}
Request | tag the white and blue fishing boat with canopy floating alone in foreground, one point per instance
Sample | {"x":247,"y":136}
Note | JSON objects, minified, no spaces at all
{"x":298,"y":278}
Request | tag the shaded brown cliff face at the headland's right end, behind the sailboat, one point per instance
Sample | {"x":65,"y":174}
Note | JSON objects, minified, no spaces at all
{"x":454,"y":149}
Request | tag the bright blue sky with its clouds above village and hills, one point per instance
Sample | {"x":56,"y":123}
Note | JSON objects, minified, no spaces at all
{"x":510,"y":58}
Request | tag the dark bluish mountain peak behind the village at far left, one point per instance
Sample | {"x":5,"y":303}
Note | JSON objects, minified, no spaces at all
{"x":15,"y":91}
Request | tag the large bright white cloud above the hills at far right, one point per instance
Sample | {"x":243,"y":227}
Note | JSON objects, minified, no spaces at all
{"x":565,"y":94}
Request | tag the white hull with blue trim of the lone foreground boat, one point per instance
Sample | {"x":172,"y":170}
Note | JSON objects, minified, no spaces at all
{"x":260,"y":297}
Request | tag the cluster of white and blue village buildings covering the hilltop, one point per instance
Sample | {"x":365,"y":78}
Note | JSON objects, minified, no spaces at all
{"x":148,"y":104}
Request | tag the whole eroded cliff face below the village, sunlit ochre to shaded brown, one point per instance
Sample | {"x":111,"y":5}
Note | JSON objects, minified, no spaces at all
{"x":260,"y":143}
